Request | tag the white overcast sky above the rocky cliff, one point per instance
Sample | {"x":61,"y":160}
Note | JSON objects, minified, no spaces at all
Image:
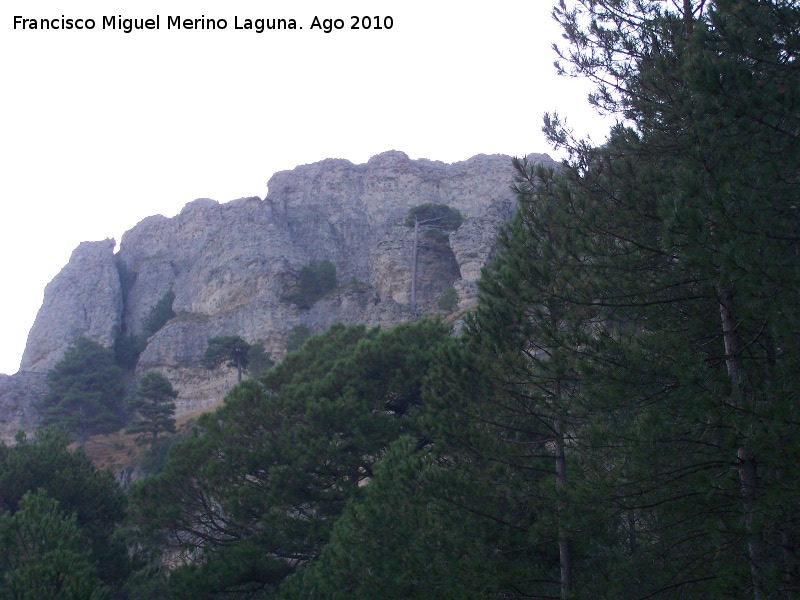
{"x":101,"y":128}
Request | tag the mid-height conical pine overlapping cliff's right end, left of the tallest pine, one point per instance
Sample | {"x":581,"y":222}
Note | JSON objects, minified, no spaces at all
{"x":510,"y":403}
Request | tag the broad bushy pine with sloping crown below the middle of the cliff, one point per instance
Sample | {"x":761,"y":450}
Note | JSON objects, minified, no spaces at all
{"x":254,"y":494}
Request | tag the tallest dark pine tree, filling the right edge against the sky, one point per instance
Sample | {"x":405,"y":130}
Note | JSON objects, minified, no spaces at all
{"x":692,"y":260}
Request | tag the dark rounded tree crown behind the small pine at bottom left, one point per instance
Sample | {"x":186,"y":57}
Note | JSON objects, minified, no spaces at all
{"x":69,"y":478}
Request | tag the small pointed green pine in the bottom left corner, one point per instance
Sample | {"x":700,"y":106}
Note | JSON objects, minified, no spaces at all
{"x":42,"y":554}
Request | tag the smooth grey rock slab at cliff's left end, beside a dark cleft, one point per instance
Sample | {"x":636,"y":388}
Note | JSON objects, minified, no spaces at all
{"x":84,"y":299}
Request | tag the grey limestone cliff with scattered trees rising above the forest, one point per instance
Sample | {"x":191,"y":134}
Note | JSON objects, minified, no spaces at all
{"x":232,"y":267}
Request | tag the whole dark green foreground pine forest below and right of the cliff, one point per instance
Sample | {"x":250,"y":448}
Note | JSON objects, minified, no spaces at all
{"x":617,"y":419}
